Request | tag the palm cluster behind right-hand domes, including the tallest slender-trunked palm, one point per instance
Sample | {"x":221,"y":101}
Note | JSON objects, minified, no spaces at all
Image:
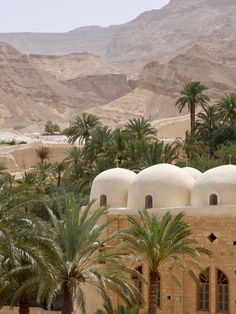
{"x":213,"y":135}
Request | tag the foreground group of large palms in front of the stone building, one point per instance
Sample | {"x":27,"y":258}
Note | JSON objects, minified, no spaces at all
{"x":56,"y":256}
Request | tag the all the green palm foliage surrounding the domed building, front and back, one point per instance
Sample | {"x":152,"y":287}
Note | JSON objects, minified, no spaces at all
{"x":50,"y":247}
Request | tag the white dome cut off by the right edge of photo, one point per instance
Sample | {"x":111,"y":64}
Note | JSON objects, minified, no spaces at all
{"x":218,"y":182}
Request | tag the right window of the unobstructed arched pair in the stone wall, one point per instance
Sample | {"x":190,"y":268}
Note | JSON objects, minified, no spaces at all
{"x":222,"y":292}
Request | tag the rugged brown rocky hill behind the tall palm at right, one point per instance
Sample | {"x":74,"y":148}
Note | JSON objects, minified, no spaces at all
{"x":158,"y":87}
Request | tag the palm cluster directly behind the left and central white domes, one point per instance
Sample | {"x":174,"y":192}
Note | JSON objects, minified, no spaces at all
{"x":134,"y":147}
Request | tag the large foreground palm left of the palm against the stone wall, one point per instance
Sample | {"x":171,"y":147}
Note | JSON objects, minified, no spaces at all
{"x":83,"y":256}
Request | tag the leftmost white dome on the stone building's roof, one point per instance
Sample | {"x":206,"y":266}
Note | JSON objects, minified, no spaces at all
{"x":114,"y":184}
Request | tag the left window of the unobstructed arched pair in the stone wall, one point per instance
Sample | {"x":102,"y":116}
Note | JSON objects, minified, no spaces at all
{"x":203,"y":292}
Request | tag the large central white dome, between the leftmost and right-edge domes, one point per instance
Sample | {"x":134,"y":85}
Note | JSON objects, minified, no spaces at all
{"x":168,"y":185}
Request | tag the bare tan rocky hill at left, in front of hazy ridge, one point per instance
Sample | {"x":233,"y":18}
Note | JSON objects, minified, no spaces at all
{"x":32,"y":90}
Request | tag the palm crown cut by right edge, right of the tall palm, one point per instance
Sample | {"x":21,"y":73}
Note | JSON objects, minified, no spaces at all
{"x":227,"y":108}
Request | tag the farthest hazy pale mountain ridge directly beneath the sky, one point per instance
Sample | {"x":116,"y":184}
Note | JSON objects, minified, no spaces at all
{"x":153,"y":33}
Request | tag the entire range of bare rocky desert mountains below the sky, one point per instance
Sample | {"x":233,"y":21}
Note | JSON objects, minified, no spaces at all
{"x":59,"y":75}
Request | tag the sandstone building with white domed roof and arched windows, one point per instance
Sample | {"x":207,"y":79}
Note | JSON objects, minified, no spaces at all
{"x":209,"y":203}
